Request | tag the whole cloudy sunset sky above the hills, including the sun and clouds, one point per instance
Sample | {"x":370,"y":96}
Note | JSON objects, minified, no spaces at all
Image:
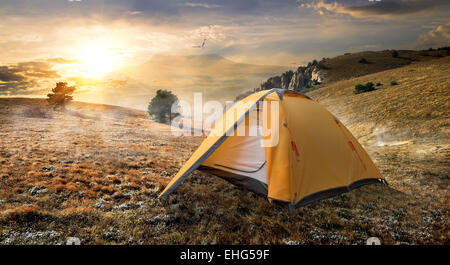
{"x":43,"y":41}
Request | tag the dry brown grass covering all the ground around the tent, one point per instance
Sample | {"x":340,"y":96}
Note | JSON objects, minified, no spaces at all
{"x":95,"y":171}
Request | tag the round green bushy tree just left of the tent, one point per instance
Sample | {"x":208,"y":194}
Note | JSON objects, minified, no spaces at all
{"x":160,"y":107}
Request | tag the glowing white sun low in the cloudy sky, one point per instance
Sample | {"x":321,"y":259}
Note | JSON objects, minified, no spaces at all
{"x":95,"y":62}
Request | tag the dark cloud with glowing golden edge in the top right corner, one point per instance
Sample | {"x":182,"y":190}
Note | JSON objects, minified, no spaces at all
{"x":382,"y":9}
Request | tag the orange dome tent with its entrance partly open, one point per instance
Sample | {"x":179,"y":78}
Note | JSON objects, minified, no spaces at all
{"x":303,"y":154}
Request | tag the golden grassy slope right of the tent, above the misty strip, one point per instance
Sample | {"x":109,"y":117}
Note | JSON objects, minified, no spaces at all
{"x":417,"y":108}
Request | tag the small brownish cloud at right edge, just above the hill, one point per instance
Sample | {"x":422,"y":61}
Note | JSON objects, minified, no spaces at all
{"x":438,"y":37}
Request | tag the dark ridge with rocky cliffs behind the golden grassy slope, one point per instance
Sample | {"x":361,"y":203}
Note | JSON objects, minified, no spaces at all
{"x":328,"y":70}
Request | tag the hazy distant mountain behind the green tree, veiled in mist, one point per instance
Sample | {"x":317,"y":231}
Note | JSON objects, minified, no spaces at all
{"x":216,"y":77}
